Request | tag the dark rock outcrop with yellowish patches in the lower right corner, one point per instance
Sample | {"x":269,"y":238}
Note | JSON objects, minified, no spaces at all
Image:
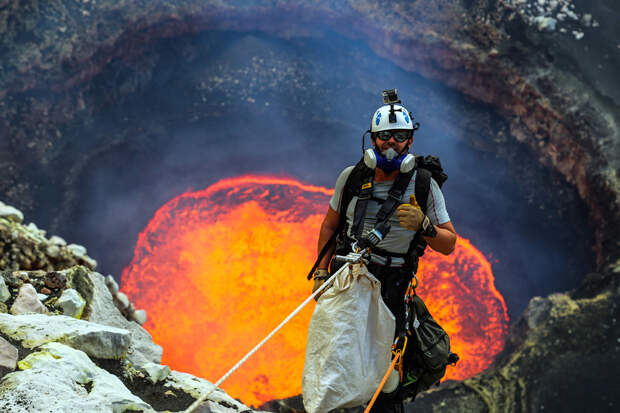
{"x":559,"y":340}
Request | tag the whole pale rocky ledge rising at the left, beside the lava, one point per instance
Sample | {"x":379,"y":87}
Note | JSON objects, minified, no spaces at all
{"x":66,"y":341}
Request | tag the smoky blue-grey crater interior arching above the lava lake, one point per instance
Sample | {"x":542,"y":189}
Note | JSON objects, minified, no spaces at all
{"x":181,"y":113}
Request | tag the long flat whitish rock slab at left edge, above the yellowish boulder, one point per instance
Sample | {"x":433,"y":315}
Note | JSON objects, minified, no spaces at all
{"x":96,"y":340}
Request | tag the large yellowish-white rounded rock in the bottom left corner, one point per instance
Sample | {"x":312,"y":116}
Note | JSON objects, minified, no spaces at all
{"x":63,"y":379}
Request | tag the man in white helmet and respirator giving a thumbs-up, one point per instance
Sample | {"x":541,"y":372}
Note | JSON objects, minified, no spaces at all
{"x":393,"y":260}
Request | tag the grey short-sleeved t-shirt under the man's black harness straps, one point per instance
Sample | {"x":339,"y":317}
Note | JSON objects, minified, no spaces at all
{"x":399,"y":238}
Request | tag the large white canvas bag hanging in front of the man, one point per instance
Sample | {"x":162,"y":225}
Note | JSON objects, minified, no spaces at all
{"x":349,"y":342}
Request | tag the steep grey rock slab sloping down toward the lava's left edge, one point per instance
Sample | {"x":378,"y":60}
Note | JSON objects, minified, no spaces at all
{"x":102,"y":310}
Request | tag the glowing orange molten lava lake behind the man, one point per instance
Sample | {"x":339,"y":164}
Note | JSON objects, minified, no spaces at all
{"x":218,"y":269}
